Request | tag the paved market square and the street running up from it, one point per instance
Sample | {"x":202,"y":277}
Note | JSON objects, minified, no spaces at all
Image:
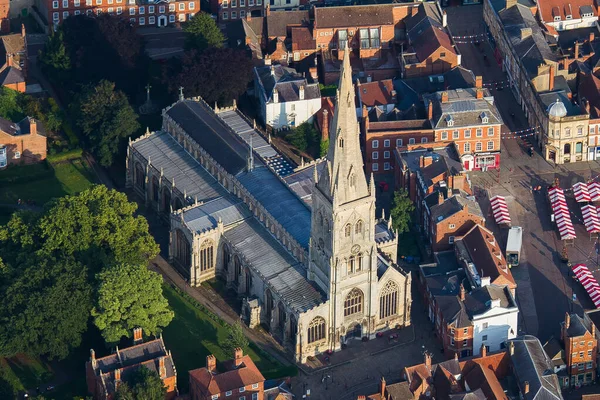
{"x":545,"y":290}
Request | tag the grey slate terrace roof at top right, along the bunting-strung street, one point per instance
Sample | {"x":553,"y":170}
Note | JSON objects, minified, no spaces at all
{"x":533,"y":50}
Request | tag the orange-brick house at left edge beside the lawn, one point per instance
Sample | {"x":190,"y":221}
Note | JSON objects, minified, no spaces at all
{"x":21,"y":143}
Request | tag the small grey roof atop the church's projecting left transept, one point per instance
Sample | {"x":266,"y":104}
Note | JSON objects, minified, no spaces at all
{"x":228,"y":209}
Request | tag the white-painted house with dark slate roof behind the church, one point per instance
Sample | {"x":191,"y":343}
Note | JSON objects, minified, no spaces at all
{"x":285,"y":97}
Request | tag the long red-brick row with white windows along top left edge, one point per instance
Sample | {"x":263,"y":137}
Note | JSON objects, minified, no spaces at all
{"x":138,"y":12}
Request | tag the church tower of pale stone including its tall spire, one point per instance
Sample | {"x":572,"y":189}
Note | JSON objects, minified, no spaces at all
{"x":343,"y":252}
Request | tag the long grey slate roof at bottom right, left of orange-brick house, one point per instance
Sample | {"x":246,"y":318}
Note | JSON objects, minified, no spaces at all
{"x":531,"y":364}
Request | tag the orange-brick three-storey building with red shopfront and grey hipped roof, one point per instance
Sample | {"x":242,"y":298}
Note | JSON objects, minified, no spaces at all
{"x":469,"y":118}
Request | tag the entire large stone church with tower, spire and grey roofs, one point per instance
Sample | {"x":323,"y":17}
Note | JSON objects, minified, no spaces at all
{"x":301,"y":246}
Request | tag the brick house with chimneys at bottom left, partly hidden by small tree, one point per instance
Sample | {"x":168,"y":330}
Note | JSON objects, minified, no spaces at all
{"x":103,"y":375}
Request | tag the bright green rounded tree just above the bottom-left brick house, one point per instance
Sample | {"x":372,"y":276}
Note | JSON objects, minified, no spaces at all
{"x":130,"y":296}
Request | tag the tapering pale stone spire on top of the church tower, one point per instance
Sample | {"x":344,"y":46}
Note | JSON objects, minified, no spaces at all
{"x":344,"y":174}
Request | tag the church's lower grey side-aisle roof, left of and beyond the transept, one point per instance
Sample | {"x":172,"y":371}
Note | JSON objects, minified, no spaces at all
{"x":164,"y":151}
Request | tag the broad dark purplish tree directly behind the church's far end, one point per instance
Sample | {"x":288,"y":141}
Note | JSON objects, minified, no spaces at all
{"x":210,"y":74}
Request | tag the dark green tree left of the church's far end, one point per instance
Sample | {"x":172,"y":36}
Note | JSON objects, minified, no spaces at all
{"x":106,"y":118}
